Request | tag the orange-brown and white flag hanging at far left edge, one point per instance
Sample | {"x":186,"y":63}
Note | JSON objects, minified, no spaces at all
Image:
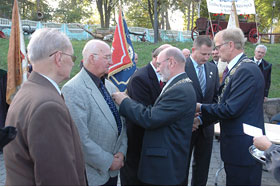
{"x":17,"y":60}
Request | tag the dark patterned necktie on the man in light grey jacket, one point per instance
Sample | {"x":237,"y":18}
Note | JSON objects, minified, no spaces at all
{"x":112,"y":106}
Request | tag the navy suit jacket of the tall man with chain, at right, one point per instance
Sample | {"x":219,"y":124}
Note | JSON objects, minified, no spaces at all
{"x":241,"y":102}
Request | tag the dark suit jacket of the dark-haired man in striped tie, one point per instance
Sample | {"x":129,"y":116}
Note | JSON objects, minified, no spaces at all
{"x":211,"y":92}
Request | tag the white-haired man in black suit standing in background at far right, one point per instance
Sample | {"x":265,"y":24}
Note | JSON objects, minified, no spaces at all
{"x":264,"y":66}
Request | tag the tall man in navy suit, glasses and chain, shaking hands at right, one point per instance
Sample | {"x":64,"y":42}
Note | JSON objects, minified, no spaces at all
{"x":240,"y":101}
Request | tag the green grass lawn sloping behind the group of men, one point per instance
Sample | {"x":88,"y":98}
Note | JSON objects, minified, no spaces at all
{"x":144,"y":51}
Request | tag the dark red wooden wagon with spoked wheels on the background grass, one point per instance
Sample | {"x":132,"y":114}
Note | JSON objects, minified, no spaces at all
{"x":203,"y":27}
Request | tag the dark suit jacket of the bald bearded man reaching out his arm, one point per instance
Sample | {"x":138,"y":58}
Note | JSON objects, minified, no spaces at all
{"x":168,"y":131}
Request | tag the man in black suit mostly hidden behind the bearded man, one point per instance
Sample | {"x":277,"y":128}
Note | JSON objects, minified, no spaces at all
{"x":143,"y":87}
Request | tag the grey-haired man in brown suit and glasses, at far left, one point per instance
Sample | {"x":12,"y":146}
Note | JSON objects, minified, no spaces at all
{"x":47,"y":149}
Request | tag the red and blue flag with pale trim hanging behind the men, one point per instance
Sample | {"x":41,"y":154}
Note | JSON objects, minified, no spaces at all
{"x":122,"y":55}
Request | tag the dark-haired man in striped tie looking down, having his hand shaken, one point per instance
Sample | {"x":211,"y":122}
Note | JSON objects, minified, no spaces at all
{"x":206,"y":86}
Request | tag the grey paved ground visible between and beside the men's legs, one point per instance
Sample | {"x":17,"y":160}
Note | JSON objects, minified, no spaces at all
{"x":267,"y":179}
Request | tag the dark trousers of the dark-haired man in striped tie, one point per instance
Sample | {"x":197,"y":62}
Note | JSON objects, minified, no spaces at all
{"x":201,"y":147}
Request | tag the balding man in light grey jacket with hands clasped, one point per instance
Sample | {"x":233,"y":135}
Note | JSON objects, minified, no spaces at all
{"x":102,"y":131}
